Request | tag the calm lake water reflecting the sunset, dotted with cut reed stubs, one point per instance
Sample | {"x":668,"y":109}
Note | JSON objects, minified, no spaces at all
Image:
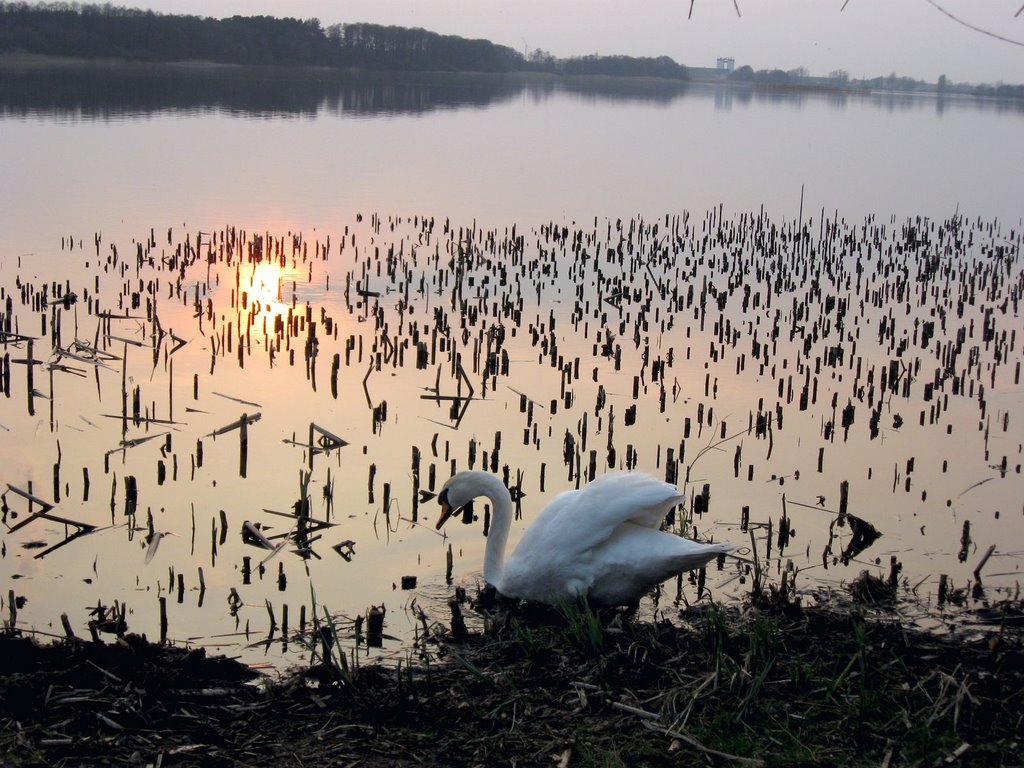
{"x":583,"y":255}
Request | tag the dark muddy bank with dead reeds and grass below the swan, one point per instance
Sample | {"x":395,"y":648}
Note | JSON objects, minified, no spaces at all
{"x":838,"y":685}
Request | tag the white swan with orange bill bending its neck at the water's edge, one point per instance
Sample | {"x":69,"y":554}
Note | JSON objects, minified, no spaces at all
{"x":603,"y":542}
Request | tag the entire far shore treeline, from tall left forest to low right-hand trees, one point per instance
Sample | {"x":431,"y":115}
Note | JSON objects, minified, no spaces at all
{"x":105,"y":32}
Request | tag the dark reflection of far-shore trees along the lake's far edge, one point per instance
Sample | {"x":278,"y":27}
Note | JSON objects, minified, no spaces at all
{"x":107,"y":91}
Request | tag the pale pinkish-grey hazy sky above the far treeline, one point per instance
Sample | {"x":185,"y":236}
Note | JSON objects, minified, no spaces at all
{"x":868,"y":38}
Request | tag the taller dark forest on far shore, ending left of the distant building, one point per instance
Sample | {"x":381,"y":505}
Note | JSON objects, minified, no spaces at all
{"x":108,"y":32}
